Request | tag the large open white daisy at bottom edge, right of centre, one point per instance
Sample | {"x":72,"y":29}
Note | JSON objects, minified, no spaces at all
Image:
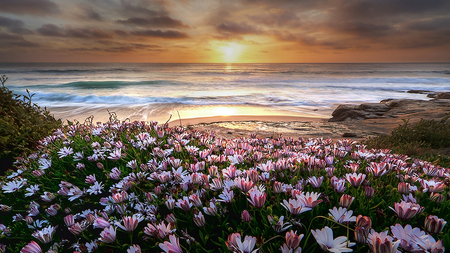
{"x":324,"y":238}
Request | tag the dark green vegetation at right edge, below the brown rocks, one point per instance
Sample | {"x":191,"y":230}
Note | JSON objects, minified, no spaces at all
{"x":427,"y":139}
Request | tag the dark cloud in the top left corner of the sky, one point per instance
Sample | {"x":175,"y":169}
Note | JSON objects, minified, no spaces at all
{"x":31,"y":7}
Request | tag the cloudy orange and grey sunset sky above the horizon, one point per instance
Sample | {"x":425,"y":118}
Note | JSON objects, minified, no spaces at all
{"x":232,"y":31}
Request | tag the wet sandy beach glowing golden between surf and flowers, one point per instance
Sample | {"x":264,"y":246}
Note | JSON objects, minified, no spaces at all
{"x":320,"y":127}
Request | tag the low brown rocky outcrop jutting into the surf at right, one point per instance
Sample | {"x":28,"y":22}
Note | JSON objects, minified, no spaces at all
{"x":392,"y":108}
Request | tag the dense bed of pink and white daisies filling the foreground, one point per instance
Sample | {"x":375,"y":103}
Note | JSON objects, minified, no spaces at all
{"x":137,"y":187}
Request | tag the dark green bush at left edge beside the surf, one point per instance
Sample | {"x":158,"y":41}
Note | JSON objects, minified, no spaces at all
{"x":22,"y":124}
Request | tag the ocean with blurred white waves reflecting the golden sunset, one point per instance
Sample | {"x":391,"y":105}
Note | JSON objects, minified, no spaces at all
{"x":151,"y":91}
